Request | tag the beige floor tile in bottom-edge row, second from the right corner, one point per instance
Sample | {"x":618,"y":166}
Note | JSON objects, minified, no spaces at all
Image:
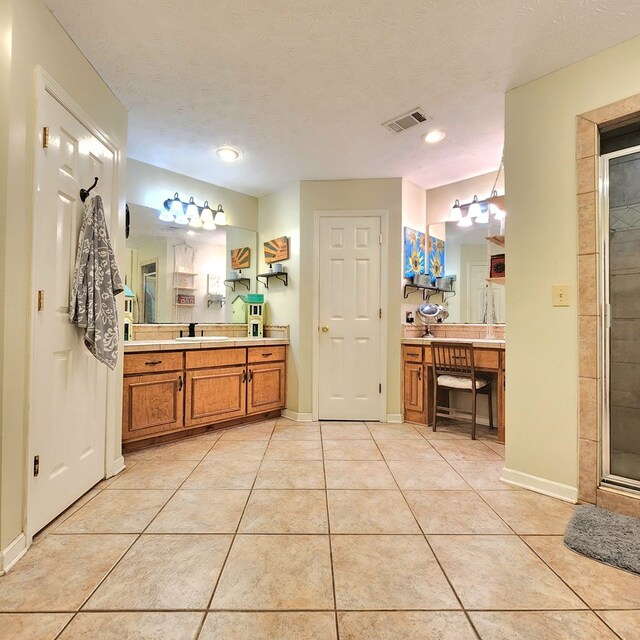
{"x":540,"y":625}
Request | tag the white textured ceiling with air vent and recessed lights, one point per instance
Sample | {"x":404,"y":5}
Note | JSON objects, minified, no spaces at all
{"x":301,"y":86}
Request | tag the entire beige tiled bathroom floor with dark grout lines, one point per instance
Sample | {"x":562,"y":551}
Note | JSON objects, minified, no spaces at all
{"x":286,"y":531}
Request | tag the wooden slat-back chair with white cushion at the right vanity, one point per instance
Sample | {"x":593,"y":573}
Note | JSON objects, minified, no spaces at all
{"x":454,"y":369}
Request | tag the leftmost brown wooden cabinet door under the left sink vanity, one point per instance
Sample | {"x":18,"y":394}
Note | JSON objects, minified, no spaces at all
{"x":152,"y":404}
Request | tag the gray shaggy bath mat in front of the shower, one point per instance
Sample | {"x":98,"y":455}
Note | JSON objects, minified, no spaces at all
{"x":606,"y":536}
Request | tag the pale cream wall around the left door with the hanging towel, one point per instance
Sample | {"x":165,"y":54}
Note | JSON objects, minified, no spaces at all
{"x":30,"y":35}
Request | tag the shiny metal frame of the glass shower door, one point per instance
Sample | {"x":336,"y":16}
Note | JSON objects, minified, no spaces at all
{"x":607,"y":478}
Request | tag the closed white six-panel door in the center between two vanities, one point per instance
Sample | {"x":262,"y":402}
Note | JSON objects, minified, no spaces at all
{"x":349,"y":315}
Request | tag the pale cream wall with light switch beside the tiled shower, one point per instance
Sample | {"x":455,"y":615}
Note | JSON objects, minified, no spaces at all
{"x":542,"y":362}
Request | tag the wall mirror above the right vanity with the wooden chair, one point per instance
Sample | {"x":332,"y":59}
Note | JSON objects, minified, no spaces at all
{"x":466,"y":259}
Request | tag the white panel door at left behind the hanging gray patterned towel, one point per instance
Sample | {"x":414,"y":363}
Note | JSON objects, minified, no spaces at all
{"x":68,"y":409}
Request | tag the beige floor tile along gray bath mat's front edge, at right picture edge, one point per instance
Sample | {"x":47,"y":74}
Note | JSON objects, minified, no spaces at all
{"x":599,"y":585}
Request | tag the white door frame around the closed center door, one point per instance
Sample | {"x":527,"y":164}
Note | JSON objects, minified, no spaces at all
{"x":384,"y":227}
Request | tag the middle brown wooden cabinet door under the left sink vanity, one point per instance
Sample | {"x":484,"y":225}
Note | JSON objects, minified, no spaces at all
{"x":214,"y":395}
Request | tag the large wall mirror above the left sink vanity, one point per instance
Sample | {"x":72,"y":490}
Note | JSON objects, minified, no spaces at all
{"x":168,"y":290}
